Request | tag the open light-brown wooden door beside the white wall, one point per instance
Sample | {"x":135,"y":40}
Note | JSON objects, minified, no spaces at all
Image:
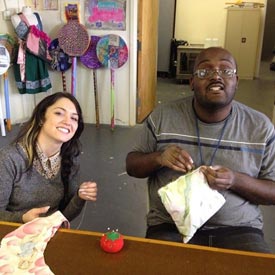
{"x":147,"y":57}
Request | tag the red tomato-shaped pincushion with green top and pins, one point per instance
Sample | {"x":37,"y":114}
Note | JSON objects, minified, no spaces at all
{"x":111,"y":242}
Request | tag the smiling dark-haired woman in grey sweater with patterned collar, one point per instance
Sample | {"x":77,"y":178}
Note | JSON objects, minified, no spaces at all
{"x":39,"y":170}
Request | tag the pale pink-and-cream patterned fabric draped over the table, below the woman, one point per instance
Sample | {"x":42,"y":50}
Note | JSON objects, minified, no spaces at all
{"x":22,"y":250}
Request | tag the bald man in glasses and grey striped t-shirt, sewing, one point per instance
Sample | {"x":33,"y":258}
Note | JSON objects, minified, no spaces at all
{"x":235,"y":144}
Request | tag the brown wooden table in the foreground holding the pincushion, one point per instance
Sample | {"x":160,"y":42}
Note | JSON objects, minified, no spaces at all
{"x":75,"y":252}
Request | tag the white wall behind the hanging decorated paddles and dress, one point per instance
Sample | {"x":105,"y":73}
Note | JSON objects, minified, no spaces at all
{"x":125,"y":80}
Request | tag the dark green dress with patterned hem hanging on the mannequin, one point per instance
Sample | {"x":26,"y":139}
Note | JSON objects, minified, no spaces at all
{"x":31,"y":73}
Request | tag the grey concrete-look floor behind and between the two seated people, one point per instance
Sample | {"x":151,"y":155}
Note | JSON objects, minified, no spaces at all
{"x":122,"y":200}
